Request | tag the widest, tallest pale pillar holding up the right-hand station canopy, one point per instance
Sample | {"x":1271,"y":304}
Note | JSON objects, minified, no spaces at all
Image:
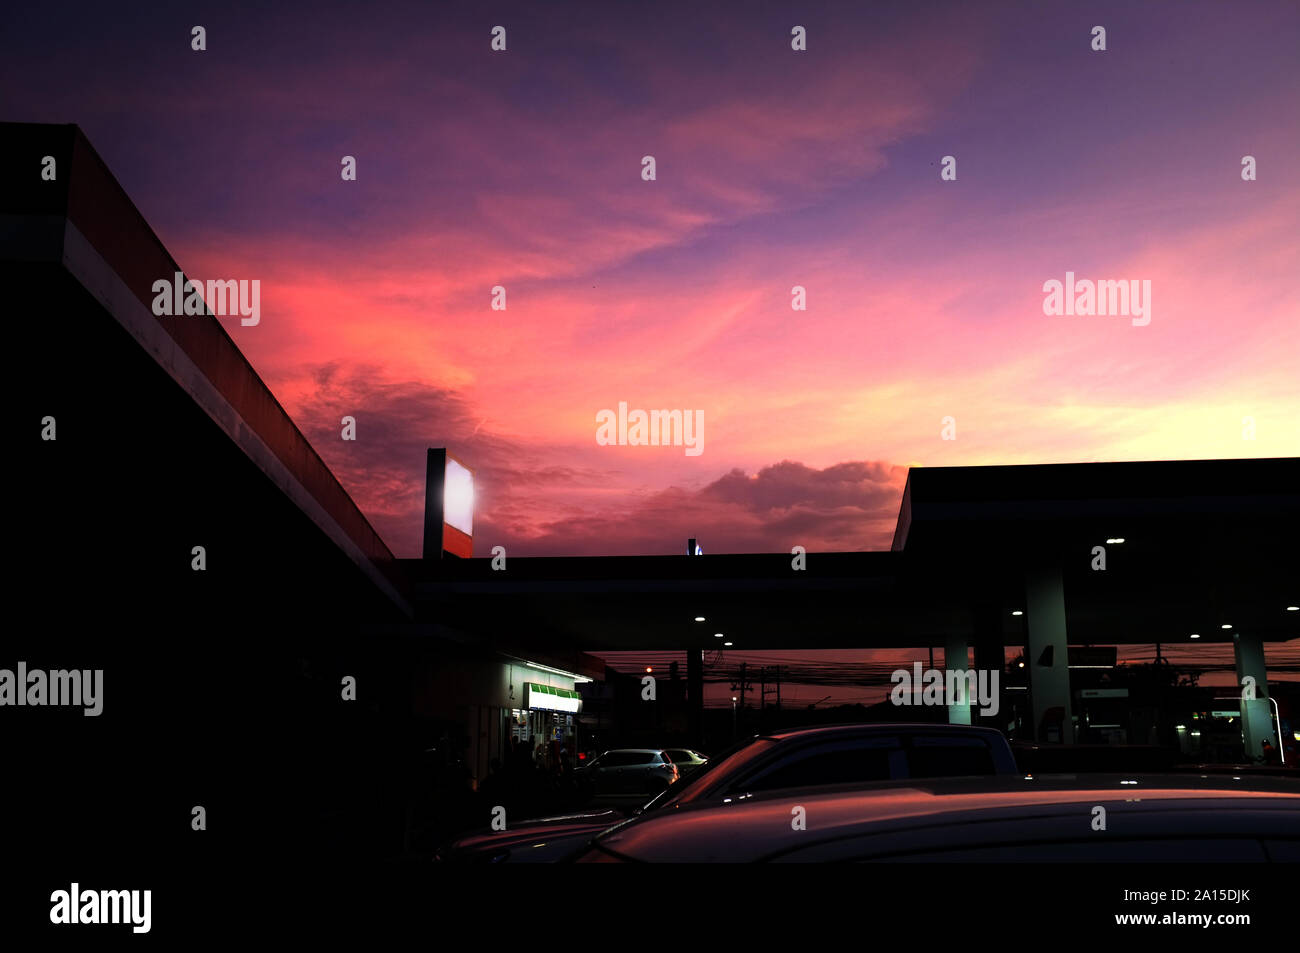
{"x":1048,"y":656}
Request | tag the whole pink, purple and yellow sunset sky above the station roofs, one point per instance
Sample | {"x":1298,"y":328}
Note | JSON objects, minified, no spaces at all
{"x":774,"y":168}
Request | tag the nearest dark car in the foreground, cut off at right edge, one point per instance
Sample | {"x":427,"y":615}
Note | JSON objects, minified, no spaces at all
{"x":1163,"y":818}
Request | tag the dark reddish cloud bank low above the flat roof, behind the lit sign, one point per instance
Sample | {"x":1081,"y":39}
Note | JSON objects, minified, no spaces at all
{"x":846,"y":506}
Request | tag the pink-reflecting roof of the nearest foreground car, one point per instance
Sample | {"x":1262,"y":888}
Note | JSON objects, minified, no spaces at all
{"x":759,"y":826}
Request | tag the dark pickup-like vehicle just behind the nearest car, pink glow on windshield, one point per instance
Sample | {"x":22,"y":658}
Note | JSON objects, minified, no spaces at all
{"x":807,"y":756}
